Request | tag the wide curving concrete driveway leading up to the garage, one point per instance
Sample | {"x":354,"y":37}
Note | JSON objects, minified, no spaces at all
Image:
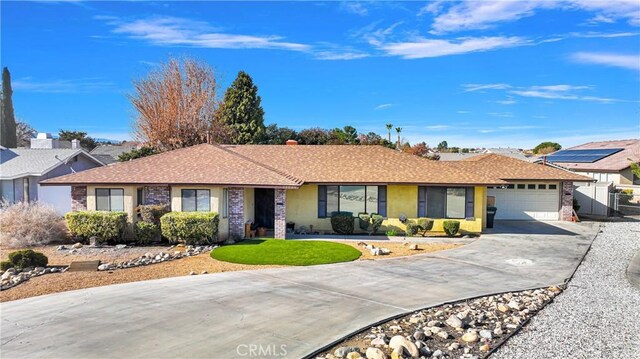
{"x":289,"y":312}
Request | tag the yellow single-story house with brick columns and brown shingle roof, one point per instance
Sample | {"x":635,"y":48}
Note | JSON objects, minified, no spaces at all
{"x":275,"y":184}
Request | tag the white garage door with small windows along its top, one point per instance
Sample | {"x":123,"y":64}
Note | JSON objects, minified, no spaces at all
{"x":527,"y":201}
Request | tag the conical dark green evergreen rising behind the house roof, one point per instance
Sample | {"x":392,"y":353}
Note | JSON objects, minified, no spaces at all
{"x":242,"y":112}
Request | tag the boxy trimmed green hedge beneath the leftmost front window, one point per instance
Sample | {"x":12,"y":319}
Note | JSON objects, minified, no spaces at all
{"x":106,"y":226}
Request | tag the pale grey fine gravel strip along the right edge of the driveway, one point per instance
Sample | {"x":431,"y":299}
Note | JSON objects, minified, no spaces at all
{"x":598,"y":315}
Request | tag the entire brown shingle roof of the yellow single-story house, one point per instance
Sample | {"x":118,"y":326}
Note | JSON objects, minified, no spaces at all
{"x":290,"y":166}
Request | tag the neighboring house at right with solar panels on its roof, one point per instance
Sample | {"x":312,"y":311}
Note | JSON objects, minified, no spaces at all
{"x":608,"y":163}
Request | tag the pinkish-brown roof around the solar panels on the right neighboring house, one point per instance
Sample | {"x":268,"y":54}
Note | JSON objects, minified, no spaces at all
{"x":614,"y":163}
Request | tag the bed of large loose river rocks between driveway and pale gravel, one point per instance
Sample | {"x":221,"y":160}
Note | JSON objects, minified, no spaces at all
{"x":466,"y":329}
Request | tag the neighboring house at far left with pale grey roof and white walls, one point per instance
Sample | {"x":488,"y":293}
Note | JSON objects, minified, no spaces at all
{"x":22,"y":170}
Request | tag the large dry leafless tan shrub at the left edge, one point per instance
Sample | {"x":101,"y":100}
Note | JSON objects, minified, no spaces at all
{"x":30,"y":224}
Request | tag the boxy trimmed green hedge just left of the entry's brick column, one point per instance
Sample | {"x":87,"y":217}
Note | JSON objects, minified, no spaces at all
{"x":195,"y":228}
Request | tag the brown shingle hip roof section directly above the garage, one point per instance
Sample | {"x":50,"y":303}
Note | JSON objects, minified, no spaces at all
{"x":508,"y":168}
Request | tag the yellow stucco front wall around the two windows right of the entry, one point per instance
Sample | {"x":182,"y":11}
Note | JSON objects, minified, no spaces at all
{"x":302,"y":209}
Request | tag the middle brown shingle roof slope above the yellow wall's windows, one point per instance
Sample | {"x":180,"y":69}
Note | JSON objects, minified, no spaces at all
{"x":357,"y":164}
